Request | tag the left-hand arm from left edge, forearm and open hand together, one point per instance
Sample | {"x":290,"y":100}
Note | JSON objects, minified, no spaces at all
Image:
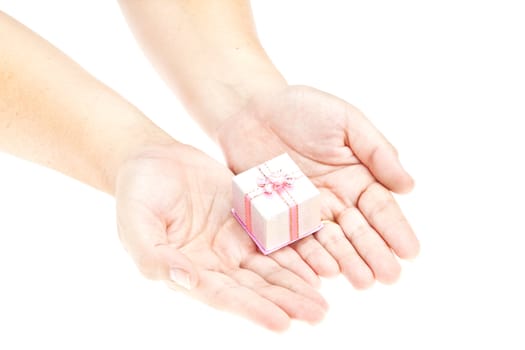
{"x":54,"y":113}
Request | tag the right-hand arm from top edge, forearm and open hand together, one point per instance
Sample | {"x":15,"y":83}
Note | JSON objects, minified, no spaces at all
{"x":209,"y":53}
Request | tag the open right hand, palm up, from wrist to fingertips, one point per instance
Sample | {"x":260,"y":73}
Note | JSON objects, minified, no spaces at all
{"x":349,"y":161}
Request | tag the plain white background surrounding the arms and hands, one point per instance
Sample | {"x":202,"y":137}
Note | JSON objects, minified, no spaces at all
{"x":445,"y":81}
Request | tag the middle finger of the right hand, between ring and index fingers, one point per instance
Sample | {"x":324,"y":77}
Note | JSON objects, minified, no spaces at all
{"x":369,"y":245}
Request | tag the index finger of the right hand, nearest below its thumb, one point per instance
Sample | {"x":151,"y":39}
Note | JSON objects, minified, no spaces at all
{"x":382,"y":211}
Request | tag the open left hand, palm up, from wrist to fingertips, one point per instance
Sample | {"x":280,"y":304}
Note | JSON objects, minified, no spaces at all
{"x":173,"y":208}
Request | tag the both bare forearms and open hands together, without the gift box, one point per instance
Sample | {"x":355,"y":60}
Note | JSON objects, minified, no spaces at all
{"x":173,"y":217}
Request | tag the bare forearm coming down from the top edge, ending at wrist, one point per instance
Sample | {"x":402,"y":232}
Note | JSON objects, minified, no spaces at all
{"x":207,"y":51}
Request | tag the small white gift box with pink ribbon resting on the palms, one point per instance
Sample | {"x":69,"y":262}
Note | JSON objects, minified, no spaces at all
{"x":276,"y":203}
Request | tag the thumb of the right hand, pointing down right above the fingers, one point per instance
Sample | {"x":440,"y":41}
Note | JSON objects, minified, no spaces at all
{"x":376,"y":153}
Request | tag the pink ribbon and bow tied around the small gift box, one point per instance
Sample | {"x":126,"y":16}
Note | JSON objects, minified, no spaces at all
{"x":276,"y":182}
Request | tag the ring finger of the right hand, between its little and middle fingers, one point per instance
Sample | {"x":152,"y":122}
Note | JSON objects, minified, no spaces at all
{"x":351,"y":264}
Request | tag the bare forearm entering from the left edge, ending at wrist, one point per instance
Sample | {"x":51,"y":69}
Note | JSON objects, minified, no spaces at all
{"x":54,"y":113}
